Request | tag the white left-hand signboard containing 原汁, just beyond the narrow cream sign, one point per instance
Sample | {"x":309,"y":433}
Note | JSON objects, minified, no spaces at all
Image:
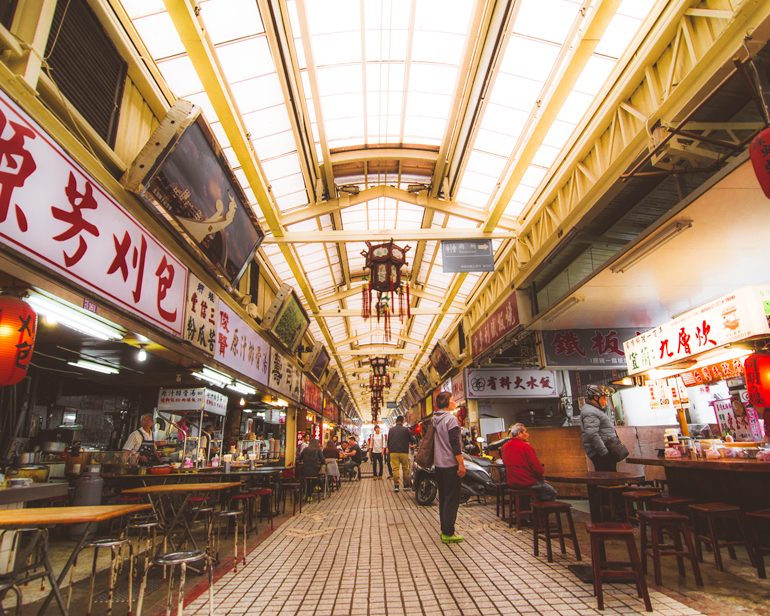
{"x":240,"y":347}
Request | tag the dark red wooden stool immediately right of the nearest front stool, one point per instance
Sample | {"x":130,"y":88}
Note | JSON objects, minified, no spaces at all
{"x":676,"y":523}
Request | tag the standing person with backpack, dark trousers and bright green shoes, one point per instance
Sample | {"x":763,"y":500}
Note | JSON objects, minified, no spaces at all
{"x":450,"y":467}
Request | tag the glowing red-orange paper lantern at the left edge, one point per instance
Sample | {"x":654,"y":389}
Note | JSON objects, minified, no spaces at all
{"x":18,"y":325}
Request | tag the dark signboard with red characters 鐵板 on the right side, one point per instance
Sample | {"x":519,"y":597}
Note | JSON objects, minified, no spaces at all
{"x":577,"y":348}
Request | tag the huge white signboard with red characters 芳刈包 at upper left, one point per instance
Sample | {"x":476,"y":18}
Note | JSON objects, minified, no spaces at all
{"x":54,"y":213}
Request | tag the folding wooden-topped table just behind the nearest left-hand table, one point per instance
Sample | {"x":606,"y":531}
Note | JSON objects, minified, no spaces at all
{"x":168,"y":493}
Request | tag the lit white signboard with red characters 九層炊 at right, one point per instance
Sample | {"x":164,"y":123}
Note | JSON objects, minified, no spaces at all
{"x":728,"y":319}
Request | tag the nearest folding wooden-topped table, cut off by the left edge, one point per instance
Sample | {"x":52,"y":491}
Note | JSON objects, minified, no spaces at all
{"x":44,"y":517}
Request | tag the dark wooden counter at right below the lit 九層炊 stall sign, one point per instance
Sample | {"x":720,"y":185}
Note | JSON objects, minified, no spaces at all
{"x":738,"y":482}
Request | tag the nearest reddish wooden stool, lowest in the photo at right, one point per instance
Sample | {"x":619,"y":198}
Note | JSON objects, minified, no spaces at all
{"x":614,"y":531}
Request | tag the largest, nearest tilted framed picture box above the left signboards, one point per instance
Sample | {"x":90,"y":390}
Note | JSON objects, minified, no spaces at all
{"x":183,"y":173}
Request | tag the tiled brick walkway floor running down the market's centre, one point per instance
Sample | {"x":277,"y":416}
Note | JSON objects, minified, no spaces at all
{"x":366,"y":550}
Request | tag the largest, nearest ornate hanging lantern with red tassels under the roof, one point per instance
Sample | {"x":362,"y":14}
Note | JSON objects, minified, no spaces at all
{"x":384,"y":262}
